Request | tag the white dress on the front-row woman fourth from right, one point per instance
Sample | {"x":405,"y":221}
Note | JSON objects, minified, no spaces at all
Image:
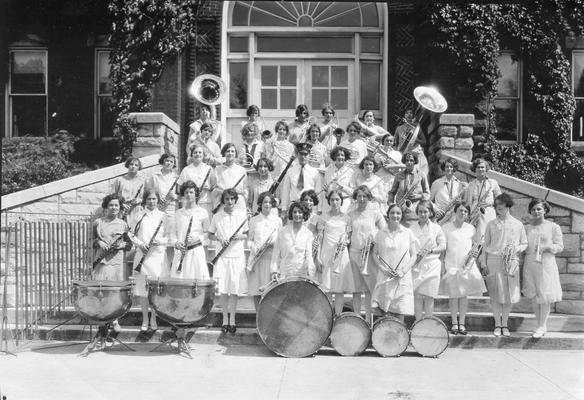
{"x":426,"y":275}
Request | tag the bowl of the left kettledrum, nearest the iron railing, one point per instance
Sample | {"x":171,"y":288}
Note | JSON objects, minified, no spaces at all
{"x":102,"y":301}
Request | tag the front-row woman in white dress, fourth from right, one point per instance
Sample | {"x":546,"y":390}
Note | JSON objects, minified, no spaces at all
{"x":427,"y":267}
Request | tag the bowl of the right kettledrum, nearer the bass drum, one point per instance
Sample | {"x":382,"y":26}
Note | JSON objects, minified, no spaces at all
{"x":181,"y":301}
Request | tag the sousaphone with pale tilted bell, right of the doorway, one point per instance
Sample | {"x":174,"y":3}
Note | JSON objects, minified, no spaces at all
{"x":430,"y":103}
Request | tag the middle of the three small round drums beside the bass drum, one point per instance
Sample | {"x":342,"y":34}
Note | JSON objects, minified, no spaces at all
{"x":390,"y":337}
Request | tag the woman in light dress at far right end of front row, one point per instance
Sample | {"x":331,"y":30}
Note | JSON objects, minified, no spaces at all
{"x":541,"y":278}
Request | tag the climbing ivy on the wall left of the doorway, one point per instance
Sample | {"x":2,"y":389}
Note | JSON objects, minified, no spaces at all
{"x":146,"y":35}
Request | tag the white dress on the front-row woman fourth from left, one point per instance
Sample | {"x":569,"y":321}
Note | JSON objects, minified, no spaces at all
{"x":229,"y":271}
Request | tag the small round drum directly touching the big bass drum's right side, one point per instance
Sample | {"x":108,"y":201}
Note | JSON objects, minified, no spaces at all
{"x":351,"y":334}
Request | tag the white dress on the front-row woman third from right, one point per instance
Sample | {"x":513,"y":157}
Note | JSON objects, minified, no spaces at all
{"x":457,"y":281}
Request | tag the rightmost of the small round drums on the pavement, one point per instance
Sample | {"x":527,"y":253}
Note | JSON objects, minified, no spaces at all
{"x":430,"y":337}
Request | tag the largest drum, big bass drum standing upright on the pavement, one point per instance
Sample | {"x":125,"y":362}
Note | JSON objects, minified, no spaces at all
{"x":294,"y":317}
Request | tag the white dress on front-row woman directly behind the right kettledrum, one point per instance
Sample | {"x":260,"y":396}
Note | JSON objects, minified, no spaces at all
{"x":194,"y":264}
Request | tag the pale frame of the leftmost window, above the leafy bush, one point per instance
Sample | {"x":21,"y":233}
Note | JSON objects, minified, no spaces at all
{"x":9,"y":95}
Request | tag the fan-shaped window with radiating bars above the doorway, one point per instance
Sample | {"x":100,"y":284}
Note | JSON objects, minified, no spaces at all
{"x":305,"y":14}
